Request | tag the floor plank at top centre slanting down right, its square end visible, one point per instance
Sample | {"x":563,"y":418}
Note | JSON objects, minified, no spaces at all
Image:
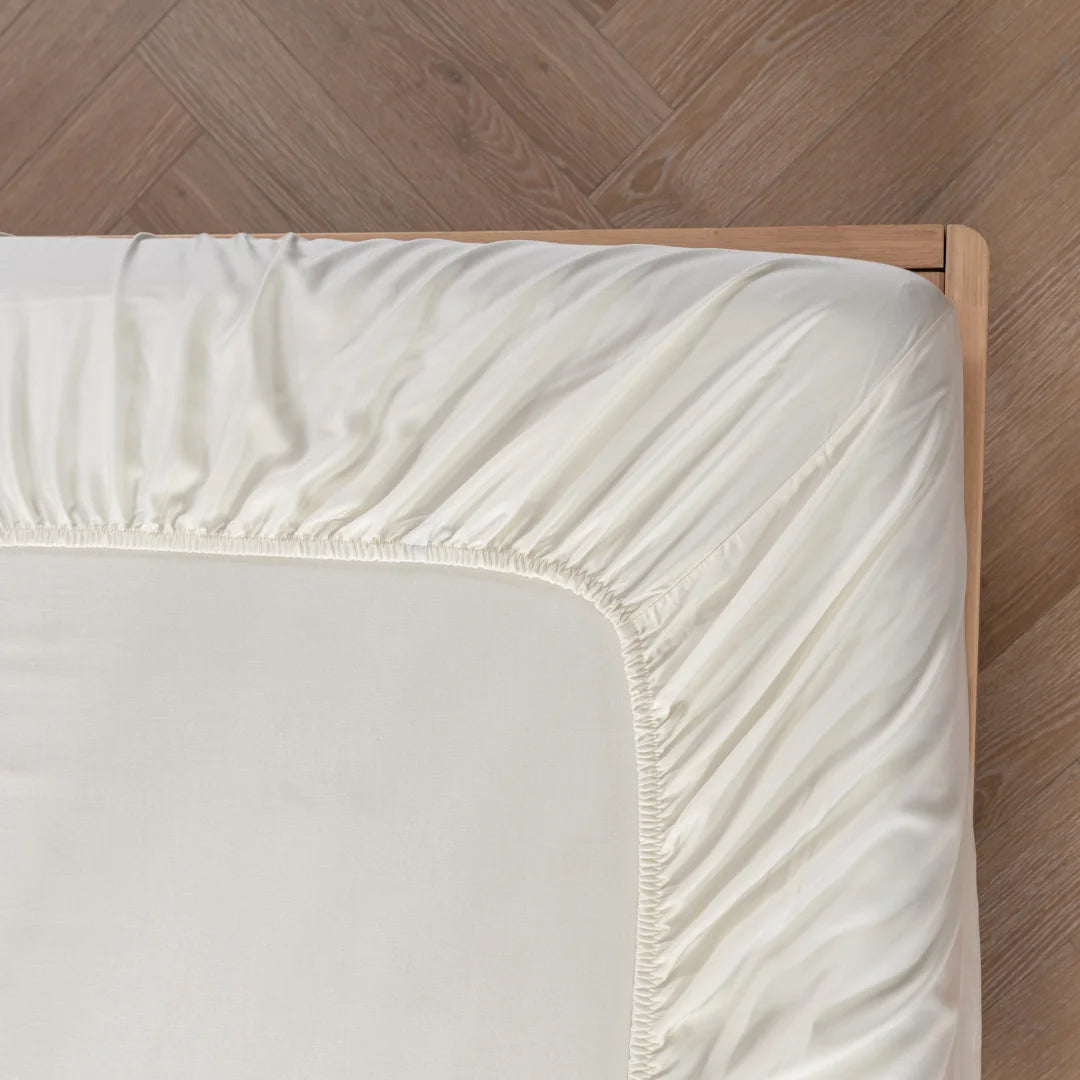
{"x":557,"y":76}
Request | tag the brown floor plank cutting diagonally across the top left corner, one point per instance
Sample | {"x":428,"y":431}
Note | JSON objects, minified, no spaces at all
{"x":52,"y":57}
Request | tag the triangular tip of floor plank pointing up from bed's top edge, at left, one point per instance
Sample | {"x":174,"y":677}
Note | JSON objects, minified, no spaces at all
{"x":205,"y":193}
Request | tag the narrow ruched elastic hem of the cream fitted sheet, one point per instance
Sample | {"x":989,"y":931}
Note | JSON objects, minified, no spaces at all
{"x":651,"y":885}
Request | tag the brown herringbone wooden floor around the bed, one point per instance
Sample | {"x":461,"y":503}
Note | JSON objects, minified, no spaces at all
{"x":179,"y":116}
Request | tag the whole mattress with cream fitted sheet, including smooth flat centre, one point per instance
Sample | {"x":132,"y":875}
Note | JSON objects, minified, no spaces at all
{"x":434,"y":660}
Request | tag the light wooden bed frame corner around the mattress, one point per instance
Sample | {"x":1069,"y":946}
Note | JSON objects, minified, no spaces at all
{"x":954,"y":258}
